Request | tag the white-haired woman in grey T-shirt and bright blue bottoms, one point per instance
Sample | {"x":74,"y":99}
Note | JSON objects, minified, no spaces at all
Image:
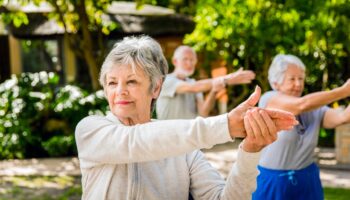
{"x":287,"y":168}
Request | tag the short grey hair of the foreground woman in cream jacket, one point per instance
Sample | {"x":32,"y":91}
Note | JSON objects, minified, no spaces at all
{"x":139,"y":52}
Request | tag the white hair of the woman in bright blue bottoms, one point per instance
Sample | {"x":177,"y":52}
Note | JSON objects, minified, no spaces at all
{"x":279,"y":66}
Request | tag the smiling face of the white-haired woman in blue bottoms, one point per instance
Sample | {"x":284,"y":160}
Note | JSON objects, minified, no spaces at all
{"x":293,"y":82}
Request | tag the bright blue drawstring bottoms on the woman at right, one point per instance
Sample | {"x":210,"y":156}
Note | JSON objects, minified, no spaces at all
{"x":303,"y":184}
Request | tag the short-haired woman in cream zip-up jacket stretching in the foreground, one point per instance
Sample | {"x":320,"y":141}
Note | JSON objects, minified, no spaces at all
{"x":126,"y":155}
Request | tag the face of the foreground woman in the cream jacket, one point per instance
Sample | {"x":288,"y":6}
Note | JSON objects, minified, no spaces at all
{"x":128,"y":94}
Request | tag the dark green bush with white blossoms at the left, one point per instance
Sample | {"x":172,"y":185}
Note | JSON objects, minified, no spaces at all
{"x":38,"y":117}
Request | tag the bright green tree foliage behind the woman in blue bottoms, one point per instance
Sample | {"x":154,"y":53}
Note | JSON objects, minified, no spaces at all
{"x":249,"y":33}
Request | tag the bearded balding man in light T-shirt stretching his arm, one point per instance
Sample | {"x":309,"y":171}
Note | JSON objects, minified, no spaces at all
{"x":182,"y":97}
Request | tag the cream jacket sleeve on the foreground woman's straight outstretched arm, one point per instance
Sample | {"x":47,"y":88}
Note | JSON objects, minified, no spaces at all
{"x":102,"y":141}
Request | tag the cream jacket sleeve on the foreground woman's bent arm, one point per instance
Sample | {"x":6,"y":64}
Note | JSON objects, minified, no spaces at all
{"x":206,"y":182}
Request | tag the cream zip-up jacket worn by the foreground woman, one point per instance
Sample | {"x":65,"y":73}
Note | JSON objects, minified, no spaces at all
{"x":159,"y":160}
